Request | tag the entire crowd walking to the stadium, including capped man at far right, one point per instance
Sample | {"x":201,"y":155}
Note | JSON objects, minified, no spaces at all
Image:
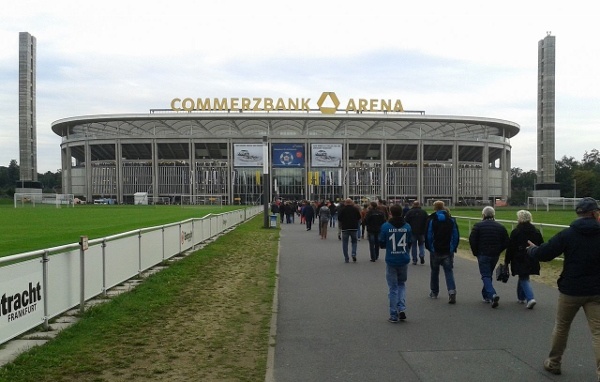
{"x":404,"y":232}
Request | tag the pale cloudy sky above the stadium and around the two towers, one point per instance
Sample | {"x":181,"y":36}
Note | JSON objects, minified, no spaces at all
{"x":446,"y":58}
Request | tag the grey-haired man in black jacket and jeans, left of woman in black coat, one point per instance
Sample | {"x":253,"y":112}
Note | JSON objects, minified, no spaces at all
{"x":488,"y":239}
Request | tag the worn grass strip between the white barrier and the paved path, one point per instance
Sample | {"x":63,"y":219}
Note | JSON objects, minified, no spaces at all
{"x":205,"y":318}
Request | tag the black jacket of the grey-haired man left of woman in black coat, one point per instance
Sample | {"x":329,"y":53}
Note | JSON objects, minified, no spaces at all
{"x":488,"y":238}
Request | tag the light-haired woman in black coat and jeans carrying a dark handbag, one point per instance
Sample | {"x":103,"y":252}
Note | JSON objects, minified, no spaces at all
{"x":522,"y":265}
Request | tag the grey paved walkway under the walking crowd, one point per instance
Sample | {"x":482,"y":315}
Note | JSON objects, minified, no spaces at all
{"x":332,"y":323}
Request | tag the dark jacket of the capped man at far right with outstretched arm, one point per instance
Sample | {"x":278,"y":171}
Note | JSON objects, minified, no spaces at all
{"x":580,"y":244}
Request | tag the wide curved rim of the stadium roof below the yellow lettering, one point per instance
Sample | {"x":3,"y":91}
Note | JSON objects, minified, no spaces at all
{"x":288,"y":125}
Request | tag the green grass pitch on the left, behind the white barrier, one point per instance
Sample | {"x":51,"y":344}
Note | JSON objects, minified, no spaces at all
{"x":28,"y":229}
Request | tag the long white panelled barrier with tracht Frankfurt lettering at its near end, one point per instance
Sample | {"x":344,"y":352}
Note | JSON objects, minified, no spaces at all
{"x":40,"y":285}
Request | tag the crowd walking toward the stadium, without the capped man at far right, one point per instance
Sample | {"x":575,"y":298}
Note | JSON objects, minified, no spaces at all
{"x":437,"y":232}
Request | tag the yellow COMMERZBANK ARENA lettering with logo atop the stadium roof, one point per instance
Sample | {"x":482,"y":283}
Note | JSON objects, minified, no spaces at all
{"x":328,"y":103}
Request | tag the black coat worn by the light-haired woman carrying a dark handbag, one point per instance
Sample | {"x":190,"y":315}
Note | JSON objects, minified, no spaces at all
{"x":516,"y":253}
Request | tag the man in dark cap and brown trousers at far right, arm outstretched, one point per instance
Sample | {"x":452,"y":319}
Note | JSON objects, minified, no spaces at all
{"x":579,"y":281}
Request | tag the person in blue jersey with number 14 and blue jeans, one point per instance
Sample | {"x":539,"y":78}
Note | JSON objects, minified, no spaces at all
{"x":395,"y":236}
